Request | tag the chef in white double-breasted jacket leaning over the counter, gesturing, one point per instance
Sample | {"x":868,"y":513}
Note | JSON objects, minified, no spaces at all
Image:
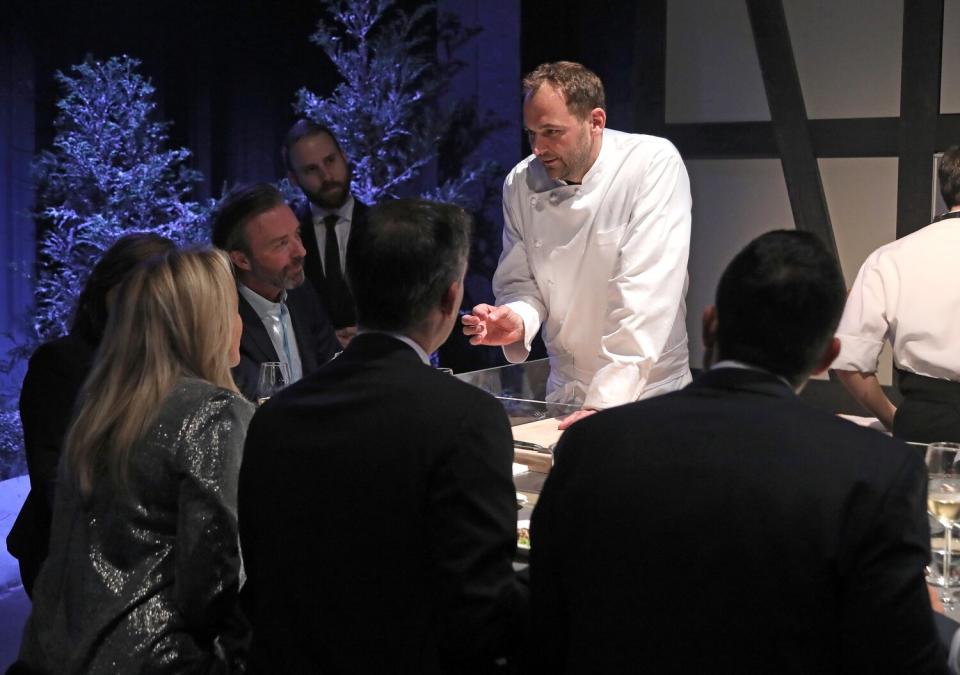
{"x":595,"y":246}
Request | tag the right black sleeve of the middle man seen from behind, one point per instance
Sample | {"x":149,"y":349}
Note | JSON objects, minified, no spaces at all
{"x":473,"y":517}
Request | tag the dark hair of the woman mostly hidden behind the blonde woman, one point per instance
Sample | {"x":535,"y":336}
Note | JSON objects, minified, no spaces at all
{"x":123,"y":257}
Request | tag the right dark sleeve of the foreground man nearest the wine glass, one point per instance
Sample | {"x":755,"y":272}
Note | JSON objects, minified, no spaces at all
{"x":884,"y":604}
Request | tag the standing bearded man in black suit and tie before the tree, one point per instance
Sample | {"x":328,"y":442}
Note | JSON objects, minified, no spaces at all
{"x":330,"y":217}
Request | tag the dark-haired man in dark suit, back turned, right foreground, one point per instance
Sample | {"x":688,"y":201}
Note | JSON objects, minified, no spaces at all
{"x":729,"y":527}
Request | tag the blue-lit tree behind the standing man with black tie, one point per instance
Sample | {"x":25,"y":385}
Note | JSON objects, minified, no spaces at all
{"x":387,"y":111}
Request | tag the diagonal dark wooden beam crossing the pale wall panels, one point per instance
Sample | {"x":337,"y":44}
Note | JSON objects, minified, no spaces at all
{"x":789,"y":116}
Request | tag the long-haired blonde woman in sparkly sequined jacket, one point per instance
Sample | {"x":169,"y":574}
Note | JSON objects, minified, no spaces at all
{"x":143,"y":569}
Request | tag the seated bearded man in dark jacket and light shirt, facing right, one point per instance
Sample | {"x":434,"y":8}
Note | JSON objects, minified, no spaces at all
{"x":282,"y":318}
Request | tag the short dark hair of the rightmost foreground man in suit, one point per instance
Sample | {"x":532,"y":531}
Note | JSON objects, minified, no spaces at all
{"x":778,"y":304}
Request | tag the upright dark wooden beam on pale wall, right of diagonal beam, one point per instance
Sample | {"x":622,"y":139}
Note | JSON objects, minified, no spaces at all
{"x":919,"y":111}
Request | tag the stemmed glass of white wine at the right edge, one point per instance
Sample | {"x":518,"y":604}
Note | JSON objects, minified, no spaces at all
{"x":943,"y":502}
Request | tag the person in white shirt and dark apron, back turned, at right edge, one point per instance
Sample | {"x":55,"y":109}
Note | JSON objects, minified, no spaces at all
{"x":908,"y":293}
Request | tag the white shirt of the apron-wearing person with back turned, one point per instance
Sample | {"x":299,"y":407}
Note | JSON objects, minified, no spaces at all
{"x":907,"y":292}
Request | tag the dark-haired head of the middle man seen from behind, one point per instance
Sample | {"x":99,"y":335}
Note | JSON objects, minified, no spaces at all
{"x":410,"y":253}
